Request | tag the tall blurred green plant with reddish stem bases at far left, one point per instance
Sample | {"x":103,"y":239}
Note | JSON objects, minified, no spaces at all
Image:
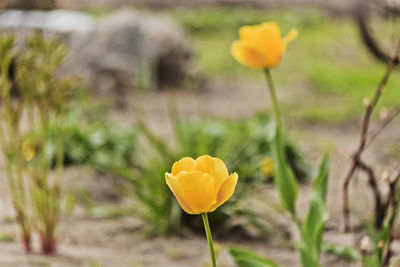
{"x":31,"y":91}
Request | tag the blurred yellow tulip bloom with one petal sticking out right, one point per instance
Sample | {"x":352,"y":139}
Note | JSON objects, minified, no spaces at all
{"x":261,"y":46}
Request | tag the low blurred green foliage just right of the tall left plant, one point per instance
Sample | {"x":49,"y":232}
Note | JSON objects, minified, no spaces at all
{"x":97,"y":144}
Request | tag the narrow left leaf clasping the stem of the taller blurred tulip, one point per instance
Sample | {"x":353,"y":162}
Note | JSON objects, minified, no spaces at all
{"x":284,"y":177}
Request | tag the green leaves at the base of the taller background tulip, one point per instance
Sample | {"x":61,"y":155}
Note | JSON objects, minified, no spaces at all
{"x":312,"y":227}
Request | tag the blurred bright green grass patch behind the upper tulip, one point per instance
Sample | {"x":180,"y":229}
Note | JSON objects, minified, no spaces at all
{"x":328,"y":58}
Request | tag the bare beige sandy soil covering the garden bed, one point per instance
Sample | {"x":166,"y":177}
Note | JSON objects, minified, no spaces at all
{"x":85,"y":241}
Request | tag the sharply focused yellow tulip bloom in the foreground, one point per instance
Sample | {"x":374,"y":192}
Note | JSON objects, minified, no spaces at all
{"x":201,"y":185}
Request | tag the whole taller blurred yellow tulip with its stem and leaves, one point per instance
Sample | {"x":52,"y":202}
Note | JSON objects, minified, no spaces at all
{"x":247,"y":51}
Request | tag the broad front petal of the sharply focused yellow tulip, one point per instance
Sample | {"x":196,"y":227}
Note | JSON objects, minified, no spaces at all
{"x":199,"y":189}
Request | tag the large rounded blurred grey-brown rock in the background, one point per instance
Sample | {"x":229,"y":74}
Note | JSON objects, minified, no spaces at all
{"x":132,"y":50}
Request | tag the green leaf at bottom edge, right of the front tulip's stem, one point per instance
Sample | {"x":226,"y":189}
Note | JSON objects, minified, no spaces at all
{"x":247,"y":258}
